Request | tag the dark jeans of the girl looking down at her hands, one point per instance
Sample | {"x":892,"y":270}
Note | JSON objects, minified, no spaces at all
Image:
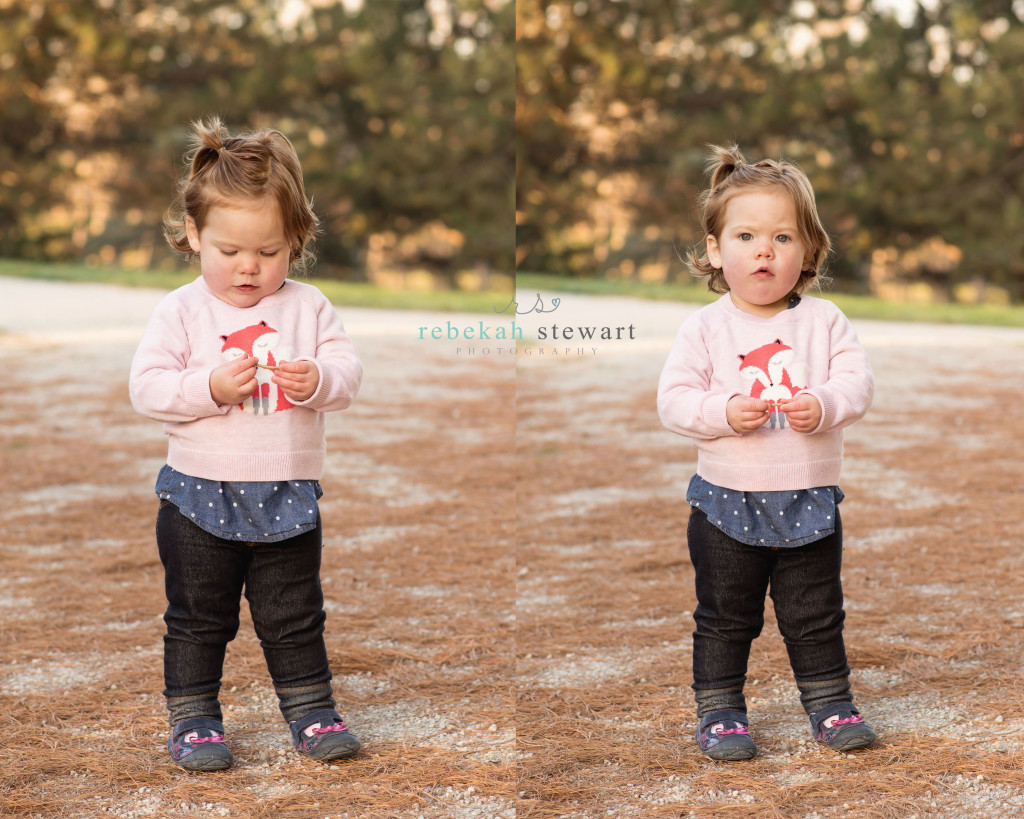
{"x":205,"y":577}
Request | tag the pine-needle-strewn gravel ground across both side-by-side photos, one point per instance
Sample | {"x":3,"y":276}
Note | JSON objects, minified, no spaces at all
{"x":509,"y":626}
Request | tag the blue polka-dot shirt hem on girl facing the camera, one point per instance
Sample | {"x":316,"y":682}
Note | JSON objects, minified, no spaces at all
{"x":772,"y":520}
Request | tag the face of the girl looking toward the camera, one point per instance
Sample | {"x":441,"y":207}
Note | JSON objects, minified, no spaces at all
{"x":760,"y":251}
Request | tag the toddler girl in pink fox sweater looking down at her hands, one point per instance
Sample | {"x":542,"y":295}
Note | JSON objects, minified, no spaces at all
{"x":241,"y":366}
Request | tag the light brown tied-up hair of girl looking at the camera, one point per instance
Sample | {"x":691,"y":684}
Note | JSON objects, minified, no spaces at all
{"x":731,"y":175}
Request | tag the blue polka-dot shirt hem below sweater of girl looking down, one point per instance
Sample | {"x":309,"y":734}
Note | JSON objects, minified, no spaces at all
{"x":250,"y":511}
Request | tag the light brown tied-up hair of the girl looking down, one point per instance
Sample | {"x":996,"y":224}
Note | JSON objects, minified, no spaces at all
{"x":222,"y":169}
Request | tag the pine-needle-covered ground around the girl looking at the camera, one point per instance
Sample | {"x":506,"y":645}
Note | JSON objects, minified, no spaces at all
{"x":934,"y":579}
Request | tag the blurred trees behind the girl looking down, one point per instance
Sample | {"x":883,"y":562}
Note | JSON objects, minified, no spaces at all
{"x":402,"y":112}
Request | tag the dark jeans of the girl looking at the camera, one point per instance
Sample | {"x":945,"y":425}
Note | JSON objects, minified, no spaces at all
{"x":732,"y":581}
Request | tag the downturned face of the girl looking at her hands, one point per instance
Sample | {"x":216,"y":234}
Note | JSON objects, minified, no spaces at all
{"x":243,"y":252}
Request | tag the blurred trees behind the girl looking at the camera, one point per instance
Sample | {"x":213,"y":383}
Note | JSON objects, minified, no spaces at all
{"x":909,"y":118}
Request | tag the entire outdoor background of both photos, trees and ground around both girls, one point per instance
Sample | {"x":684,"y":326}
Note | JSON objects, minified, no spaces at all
{"x":505,"y":561}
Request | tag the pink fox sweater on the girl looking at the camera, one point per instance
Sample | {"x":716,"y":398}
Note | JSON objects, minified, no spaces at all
{"x":721,"y":352}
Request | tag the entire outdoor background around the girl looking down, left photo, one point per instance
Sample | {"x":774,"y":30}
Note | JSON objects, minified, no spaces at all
{"x":402,"y":112}
